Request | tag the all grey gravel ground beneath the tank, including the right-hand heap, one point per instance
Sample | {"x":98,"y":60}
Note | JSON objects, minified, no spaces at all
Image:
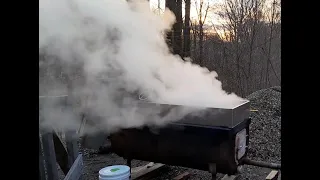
{"x":264,"y":143}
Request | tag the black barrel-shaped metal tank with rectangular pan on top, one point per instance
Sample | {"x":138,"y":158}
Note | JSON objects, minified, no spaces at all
{"x":215,"y":141}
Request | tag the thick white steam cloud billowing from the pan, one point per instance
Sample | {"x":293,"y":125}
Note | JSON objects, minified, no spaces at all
{"x":119,"y":51}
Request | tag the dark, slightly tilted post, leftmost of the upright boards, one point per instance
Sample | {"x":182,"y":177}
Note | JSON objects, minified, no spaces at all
{"x":49,"y":156}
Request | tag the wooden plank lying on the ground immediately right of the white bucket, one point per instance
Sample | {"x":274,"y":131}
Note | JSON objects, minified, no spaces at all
{"x":146,"y":170}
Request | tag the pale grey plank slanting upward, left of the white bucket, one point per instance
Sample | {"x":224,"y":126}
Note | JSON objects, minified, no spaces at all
{"x":75,"y":172}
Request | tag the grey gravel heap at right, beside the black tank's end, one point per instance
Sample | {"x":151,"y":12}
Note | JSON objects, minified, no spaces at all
{"x":265,"y":131}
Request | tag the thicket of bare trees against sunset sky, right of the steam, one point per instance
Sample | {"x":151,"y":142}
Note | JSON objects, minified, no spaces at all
{"x":246,"y":51}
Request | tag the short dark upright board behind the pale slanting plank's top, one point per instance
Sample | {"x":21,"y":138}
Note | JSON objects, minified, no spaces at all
{"x":72,"y":147}
